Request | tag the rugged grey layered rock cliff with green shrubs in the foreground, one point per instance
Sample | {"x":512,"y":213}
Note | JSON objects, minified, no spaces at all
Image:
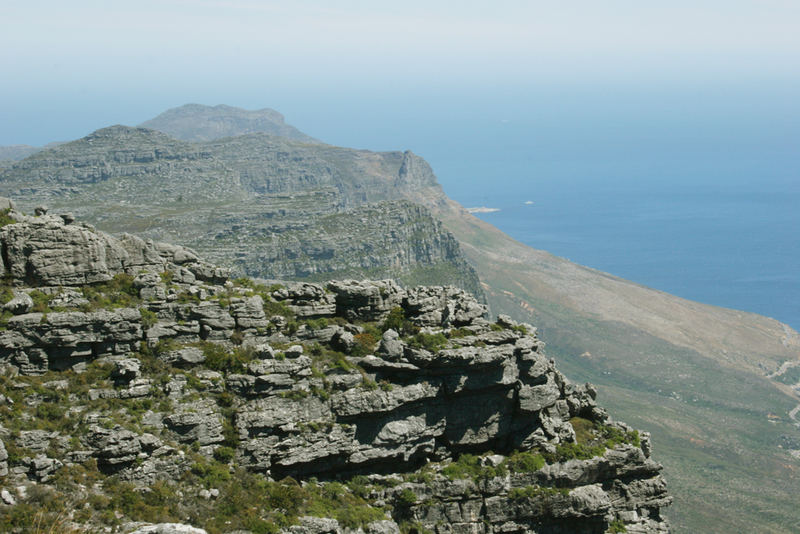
{"x":140,"y":383}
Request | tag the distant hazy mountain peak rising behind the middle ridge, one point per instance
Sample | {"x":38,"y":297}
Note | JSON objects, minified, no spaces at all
{"x":195,"y":122}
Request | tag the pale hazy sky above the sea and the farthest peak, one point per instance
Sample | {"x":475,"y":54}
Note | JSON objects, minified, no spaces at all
{"x":71,"y":67}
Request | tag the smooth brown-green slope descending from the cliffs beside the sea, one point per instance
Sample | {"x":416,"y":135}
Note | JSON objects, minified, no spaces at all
{"x":691,"y":374}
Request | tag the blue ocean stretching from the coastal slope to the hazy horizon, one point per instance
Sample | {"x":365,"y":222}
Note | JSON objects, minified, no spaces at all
{"x":694,"y":191}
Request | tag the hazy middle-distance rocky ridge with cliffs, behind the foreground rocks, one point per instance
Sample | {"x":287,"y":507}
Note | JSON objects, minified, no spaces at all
{"x":264,"y":206}
